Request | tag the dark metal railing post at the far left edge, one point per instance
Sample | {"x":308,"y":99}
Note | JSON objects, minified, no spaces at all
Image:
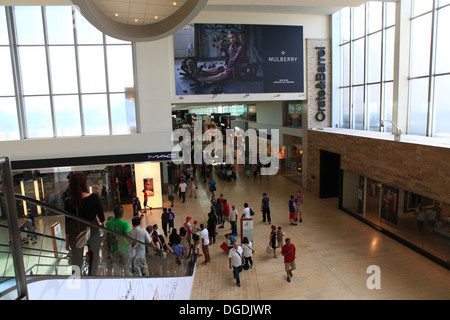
{"x":15,"y":239}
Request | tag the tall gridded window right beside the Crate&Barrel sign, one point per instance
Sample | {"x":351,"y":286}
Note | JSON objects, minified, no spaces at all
{"x":366,"y":45}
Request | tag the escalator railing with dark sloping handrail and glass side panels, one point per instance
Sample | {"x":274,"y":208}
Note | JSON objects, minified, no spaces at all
{"x":26,"y":253}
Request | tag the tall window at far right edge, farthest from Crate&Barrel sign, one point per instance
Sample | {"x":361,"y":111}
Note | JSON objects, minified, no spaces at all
{"x":429,"y":71}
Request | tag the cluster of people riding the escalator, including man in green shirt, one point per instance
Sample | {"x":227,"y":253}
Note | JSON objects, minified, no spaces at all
{"x":122,"y":255}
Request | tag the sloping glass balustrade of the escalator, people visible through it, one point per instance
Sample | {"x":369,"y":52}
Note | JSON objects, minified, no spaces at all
{"x":43,"y":250}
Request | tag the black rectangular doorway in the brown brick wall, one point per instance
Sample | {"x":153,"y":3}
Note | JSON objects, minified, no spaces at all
{"x":330,"y":164}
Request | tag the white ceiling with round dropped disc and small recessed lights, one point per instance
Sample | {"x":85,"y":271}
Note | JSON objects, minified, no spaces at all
{"x":144,"y":20}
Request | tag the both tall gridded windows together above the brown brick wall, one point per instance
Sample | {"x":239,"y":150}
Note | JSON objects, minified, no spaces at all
{"x":366,"y":42}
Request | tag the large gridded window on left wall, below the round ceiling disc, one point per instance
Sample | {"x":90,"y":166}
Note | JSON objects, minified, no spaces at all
{"x":61,"y":76}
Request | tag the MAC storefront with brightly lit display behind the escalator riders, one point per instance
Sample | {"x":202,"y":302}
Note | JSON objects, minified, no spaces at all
{"x":114,"y":184}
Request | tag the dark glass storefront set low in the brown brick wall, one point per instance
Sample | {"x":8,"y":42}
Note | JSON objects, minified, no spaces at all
{"x":416,"y":220}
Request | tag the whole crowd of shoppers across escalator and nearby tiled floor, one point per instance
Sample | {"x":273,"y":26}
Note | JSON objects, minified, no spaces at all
{"x":125,"y":257}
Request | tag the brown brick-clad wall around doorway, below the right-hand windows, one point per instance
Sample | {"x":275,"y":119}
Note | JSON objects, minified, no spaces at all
{"x":417,"y":168}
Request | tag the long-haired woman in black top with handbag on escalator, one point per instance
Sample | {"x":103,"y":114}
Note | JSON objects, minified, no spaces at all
{"x":87,"y":206}
